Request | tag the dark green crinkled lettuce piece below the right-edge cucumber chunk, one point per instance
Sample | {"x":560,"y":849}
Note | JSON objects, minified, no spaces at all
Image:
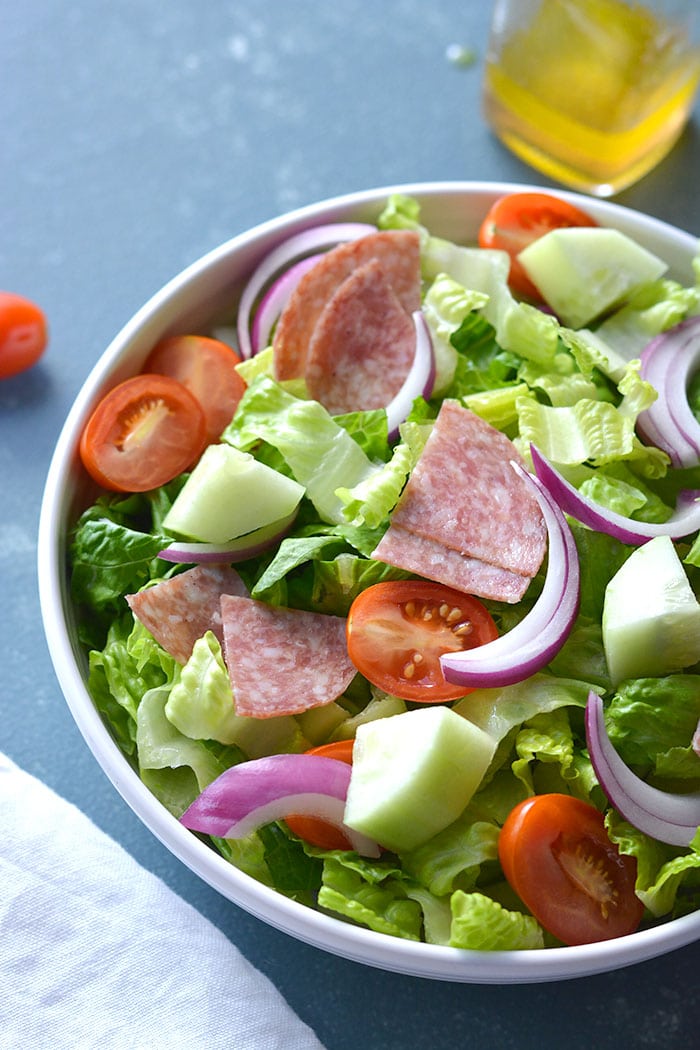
{"x":651,"y":723}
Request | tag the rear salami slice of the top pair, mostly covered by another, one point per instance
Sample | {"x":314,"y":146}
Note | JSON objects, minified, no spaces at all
{"x":398,"y":253}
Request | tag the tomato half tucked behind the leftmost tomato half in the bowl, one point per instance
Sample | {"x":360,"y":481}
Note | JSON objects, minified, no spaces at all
{"x":208,"y":369}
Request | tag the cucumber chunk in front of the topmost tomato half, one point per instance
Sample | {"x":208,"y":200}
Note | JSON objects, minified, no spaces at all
{"x":582,"y":272}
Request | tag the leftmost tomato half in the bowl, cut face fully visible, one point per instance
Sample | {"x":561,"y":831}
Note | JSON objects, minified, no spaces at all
{"x":143,"y":434}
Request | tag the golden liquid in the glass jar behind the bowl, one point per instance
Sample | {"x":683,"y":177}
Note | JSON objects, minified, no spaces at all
{"x":593,"y":93}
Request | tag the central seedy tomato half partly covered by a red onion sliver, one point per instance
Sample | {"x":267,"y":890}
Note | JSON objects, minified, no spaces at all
{"x":397,"y":633}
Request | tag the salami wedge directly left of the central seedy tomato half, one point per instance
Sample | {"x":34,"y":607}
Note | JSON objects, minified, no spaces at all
{"x":283,"y":662}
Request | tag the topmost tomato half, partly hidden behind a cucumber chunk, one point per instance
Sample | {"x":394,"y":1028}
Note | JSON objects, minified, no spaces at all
{"x":515,"y":221}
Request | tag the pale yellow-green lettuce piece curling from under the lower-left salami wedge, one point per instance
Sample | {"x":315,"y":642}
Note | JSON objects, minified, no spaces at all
{"x":201,"y":706}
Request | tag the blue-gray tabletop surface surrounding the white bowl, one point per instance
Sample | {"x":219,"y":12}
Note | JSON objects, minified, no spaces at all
{"x":136,"y":136}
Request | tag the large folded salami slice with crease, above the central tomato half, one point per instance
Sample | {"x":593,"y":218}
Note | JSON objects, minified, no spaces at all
{"x":464,"y":496}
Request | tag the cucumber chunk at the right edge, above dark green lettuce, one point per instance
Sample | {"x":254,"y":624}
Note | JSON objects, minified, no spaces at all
{"x":651,"y":617}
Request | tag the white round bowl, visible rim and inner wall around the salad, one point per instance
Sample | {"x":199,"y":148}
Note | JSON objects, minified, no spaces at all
{"x":202,"y":296}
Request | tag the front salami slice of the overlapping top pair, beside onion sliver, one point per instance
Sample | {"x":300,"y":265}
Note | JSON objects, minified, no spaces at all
{"x":363,"y":346}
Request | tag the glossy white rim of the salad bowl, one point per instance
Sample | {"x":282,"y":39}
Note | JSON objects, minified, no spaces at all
{"x":316,"y":929}
